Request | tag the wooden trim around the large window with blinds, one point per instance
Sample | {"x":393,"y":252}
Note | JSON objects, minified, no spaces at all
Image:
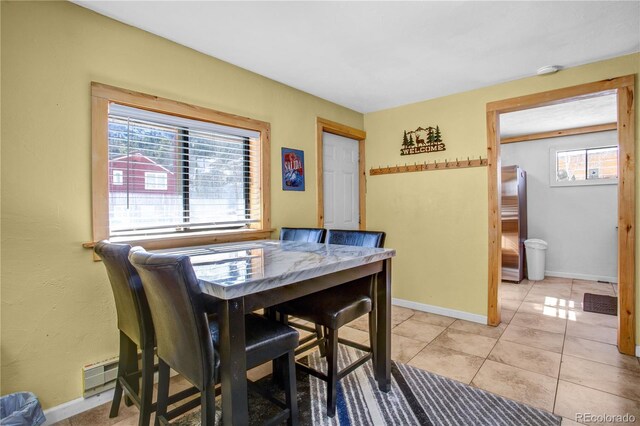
{"x":101,"y":96}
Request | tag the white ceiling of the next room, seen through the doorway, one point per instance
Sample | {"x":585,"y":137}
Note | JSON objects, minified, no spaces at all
{"x":568,"y":115}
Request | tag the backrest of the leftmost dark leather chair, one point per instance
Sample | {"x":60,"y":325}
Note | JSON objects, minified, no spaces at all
{"x":134,"y":318}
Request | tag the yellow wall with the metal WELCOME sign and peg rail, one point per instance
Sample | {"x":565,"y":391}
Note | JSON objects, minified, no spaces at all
{"x":438,"y":221}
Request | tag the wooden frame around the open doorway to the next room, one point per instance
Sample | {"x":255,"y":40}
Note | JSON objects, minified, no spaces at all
{"x":623,"y":87}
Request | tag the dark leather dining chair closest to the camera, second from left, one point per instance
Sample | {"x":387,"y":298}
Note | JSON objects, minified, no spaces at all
{"x":188,"y":342}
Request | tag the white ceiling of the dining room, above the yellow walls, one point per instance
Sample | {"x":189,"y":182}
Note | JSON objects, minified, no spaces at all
{"x":375,"y":55}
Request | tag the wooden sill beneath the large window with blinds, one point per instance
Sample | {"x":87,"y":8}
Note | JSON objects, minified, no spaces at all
{"x":201,"y":238}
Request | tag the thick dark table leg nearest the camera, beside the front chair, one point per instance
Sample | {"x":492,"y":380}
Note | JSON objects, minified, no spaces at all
{"x":233,"y":363}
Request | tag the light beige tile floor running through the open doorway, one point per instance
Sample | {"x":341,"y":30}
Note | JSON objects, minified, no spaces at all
{"x":547,"y":353}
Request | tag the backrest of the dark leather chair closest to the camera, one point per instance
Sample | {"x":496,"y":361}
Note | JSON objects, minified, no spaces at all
{"x":183,"y":337}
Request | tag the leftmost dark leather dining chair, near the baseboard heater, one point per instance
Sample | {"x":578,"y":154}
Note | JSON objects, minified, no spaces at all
{"x":136,"y":332}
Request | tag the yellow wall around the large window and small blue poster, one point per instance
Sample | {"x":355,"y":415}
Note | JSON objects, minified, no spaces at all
{"x":57,"y":307}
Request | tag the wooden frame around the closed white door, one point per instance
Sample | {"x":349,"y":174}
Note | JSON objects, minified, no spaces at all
{"x":323,"y":125}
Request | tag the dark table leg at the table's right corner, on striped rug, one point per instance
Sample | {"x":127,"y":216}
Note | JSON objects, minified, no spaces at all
{"x":383,"y":327}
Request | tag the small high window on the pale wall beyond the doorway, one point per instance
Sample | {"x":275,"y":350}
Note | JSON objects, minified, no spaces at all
{"x":586,"y":166}
